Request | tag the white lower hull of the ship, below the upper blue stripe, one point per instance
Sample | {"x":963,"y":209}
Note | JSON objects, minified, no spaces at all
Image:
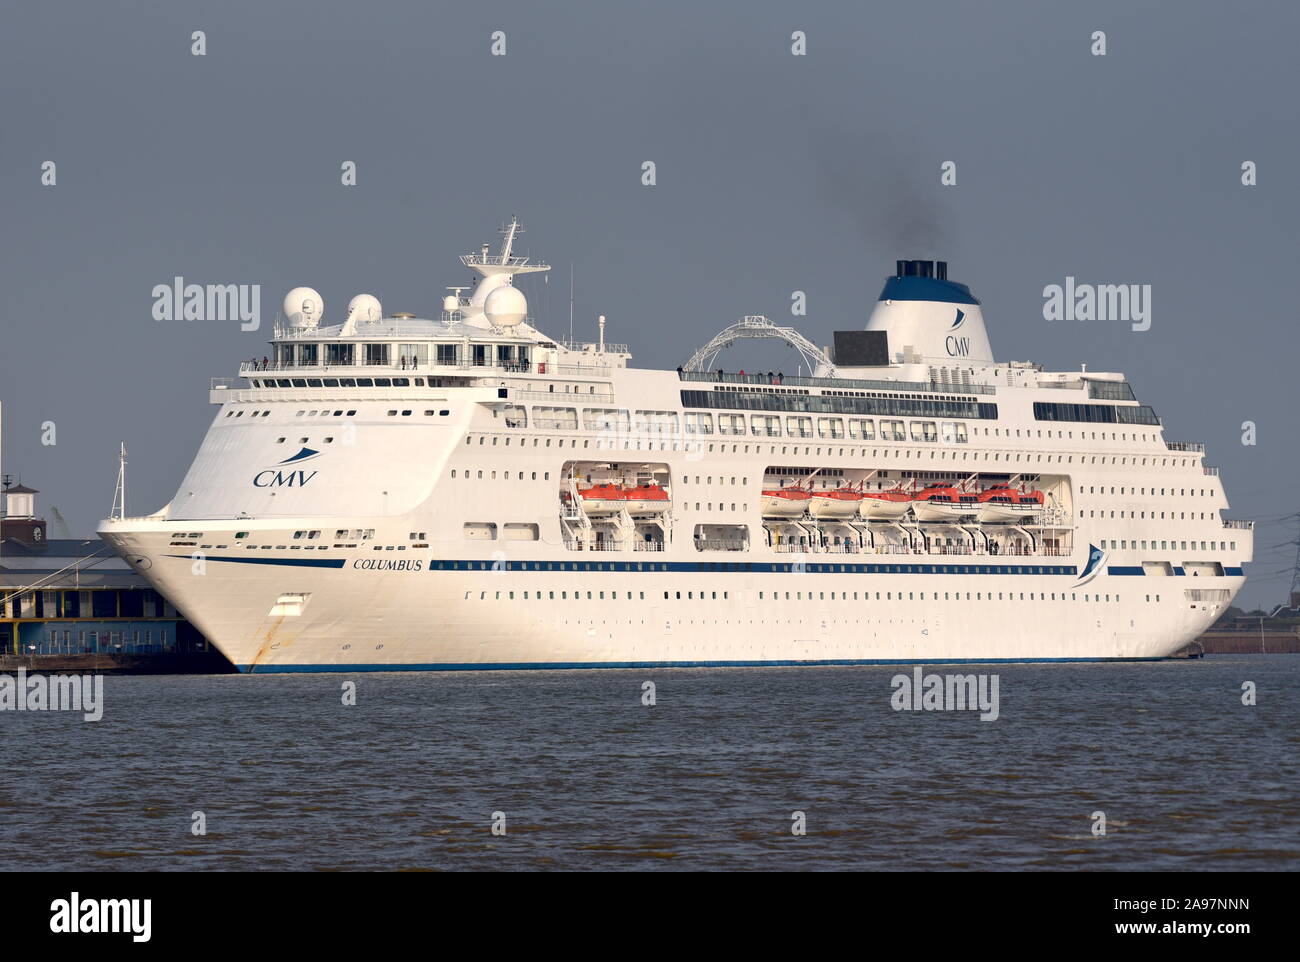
{"x":432,"y":618}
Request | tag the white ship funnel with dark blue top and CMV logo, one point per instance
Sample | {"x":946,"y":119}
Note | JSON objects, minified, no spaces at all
{"x":929,"y":317}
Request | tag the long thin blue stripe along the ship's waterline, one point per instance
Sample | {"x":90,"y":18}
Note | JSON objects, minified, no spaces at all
{"x":567,"y":666}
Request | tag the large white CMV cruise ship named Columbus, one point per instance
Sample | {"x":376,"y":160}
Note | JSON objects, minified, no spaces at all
{"x":393,"y":492}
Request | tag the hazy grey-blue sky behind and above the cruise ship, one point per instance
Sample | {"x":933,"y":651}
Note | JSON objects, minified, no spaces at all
{"x":775,"y":174}
